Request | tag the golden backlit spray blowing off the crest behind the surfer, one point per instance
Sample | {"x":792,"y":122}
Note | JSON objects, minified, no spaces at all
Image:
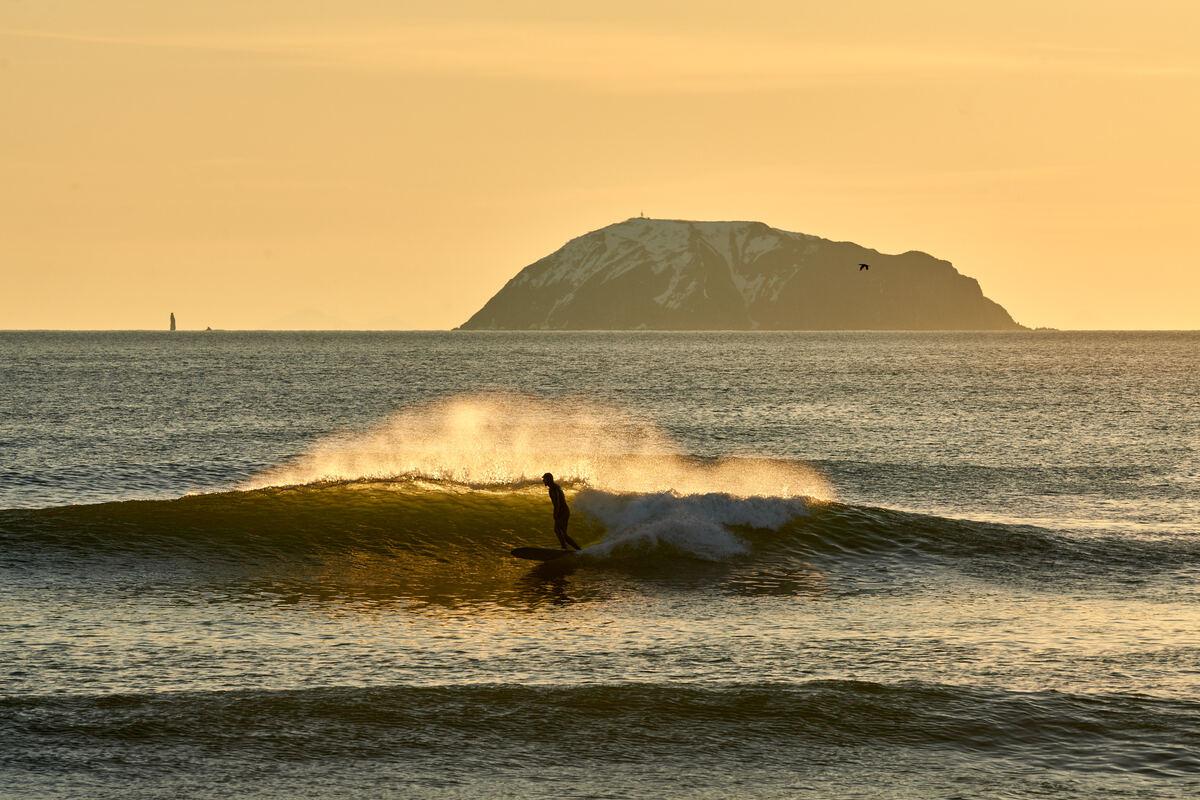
{"x":509,"y":440}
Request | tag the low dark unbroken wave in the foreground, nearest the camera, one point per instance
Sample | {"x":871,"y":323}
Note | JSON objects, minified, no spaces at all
{"x":770,"y":724}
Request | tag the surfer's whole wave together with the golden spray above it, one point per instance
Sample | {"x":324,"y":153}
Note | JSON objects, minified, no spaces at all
{"x":437,"y":496}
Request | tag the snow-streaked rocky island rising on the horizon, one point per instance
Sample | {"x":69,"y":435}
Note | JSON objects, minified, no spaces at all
{"x":681,"y":275}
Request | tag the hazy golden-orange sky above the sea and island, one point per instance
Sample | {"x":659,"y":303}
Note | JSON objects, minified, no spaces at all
{"x":380,"y":164}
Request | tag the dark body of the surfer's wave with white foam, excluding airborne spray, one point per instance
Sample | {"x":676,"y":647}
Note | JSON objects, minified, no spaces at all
{"x":410,"y":521}
